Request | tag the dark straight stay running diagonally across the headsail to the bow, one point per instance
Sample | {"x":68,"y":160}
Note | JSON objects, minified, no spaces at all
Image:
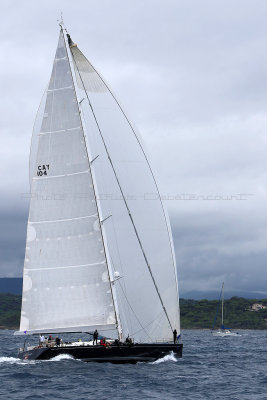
{"x":123,"y":196}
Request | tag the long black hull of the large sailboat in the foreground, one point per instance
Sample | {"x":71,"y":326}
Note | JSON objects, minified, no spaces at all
{"x":115,"y":354}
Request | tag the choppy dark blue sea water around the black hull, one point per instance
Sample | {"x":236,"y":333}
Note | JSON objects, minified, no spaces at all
{"x":229,"y":368}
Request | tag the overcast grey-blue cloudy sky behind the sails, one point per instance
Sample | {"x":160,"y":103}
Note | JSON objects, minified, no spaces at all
{"x":192,"y":75}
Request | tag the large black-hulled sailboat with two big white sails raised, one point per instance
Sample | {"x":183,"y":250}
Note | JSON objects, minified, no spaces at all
{"x":99,"y":251}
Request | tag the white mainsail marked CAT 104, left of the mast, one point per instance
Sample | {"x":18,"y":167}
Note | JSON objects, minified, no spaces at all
{"x":66,"y":285}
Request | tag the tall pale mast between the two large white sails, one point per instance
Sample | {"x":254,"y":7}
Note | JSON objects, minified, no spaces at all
{"x":101,"y":217}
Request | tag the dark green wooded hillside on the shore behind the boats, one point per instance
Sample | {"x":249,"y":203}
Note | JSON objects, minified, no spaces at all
{"x":194,"y":314}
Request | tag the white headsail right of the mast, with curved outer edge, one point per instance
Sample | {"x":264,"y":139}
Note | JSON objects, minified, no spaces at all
{"x":121,"y":169}
